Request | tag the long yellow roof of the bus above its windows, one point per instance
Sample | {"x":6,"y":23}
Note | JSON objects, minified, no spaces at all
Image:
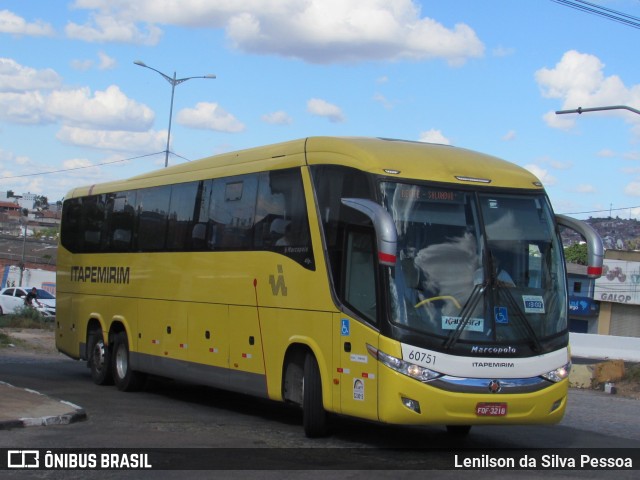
{"x":398,"y":158}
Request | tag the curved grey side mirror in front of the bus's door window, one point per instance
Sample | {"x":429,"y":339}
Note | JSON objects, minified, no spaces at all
{"x":384,"y":226}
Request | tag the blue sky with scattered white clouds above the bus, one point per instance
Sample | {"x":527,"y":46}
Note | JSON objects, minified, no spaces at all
{"x":484,"y":75}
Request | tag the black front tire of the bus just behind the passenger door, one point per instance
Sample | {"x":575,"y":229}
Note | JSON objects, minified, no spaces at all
{"x":314,"y":416}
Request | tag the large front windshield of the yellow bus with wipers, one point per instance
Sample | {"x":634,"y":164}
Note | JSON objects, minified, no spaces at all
{"x":475,"y":267}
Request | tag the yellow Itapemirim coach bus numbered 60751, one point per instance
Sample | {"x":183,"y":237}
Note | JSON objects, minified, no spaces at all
{"x":395,"y":281}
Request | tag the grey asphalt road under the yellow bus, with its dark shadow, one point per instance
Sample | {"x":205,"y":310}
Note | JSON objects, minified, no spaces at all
{"x":168,"y":414}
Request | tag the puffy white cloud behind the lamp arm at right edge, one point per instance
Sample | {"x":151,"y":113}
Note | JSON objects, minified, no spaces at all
{"x":578,"y":80}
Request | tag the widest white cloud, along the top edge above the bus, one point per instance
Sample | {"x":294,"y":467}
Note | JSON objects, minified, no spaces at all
{"x":317,"y":31}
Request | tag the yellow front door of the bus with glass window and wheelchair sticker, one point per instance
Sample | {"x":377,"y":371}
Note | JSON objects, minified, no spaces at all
{"x":357,"y":370}
